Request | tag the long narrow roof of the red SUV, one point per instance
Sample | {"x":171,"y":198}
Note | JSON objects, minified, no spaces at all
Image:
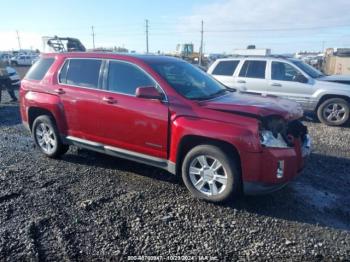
{"x":108,"y":55}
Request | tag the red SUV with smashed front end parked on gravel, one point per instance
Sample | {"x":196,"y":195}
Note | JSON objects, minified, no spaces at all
{"x":167,"y":113}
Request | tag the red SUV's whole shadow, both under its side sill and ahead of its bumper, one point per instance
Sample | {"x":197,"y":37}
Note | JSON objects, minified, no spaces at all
{"x":319,"y":196}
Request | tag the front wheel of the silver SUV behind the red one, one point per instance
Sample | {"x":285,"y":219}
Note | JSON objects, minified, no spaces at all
{"x":333,"y":112}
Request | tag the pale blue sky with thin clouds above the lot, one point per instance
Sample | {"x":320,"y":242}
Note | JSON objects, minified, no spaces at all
{"x":285,"y":26}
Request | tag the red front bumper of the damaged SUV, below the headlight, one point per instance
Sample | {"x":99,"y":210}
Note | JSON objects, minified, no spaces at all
{"x":276,"y":168}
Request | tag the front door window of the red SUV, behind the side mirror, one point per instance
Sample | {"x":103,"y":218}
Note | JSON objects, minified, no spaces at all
{"x":125,"y":78}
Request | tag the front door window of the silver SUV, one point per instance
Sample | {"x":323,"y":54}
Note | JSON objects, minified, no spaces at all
{"x":284,"y":72}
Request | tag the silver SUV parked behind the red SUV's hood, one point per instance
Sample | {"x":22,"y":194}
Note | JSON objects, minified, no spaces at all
{"x":288,"y":78}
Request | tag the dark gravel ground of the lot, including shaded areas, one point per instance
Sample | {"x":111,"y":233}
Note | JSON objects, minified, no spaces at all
{"x":92,"y":206}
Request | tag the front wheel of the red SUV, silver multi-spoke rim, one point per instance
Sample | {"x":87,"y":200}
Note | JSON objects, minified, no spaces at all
{"x":210,"y":174}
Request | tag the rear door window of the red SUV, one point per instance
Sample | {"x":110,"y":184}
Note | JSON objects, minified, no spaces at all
{"x":83,"y":72}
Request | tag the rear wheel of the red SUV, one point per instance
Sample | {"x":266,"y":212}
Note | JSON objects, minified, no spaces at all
{"x":47,"y":138}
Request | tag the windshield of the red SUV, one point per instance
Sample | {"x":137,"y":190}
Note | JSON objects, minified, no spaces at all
{"x":188,"y":80}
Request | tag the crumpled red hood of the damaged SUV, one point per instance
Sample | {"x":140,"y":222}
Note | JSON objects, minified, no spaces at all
{"x":255,"y":105}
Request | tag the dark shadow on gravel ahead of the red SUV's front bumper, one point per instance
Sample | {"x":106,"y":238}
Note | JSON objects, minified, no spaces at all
{"x":319,"y":196}
